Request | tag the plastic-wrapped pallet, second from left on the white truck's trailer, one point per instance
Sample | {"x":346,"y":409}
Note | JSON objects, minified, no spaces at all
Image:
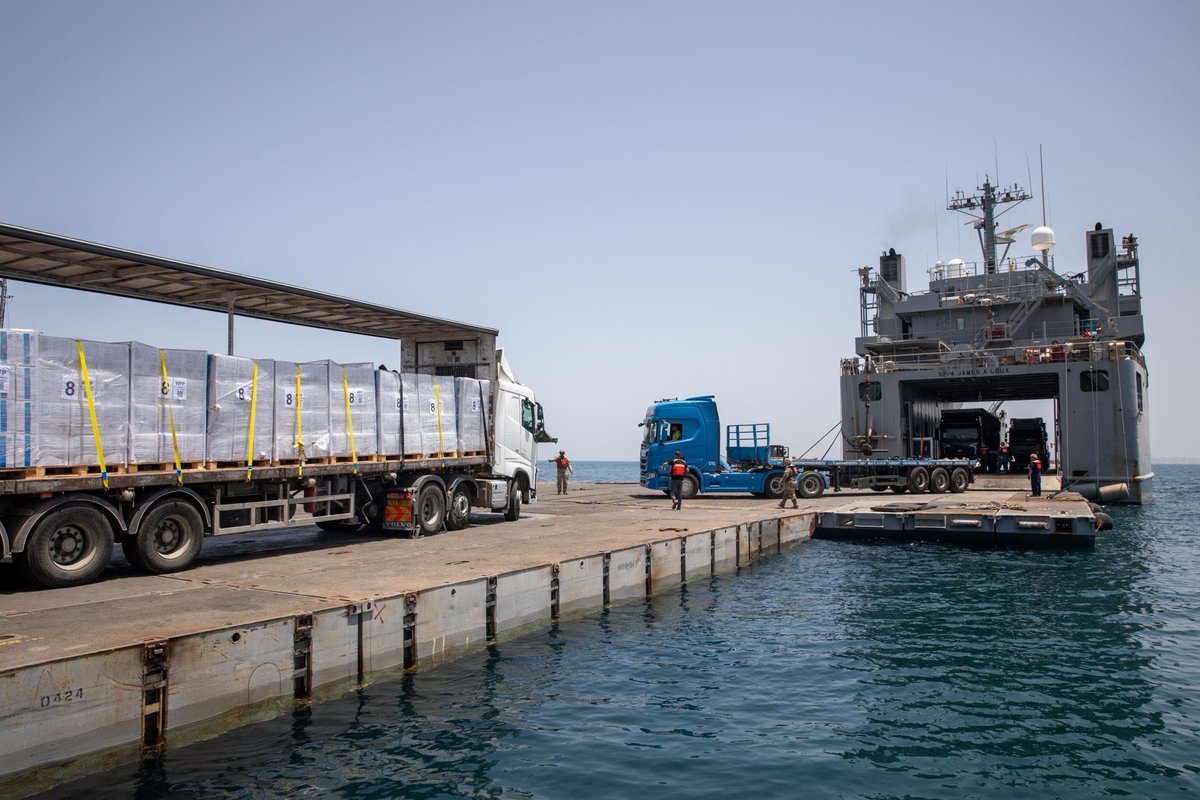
{"x":65,"y":434}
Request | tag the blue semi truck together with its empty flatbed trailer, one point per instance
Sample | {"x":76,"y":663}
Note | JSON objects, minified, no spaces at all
{"x":752,"y":464}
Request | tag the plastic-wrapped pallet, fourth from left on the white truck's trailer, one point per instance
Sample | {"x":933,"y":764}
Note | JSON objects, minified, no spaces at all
{"x":238,"y":394}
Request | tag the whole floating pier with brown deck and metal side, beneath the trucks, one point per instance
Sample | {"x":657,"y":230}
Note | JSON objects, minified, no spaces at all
{"x":135,"y":663}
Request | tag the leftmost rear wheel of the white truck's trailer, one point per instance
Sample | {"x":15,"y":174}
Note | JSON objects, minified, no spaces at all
{"x":69,"y":548}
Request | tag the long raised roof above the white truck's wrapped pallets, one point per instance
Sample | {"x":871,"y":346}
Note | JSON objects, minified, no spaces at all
{"x":56,"y":261}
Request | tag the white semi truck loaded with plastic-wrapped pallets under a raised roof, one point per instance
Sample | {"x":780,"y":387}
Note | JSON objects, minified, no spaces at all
{"x":61,"y":521}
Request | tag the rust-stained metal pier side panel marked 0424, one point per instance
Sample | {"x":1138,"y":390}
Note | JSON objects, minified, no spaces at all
{"x":65,"y":709}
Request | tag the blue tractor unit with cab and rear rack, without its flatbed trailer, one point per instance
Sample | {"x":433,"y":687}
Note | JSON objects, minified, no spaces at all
{"x":693,"y":428}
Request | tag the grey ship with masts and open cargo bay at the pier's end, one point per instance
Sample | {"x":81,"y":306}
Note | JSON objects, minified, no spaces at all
{"x":1009,"y":329}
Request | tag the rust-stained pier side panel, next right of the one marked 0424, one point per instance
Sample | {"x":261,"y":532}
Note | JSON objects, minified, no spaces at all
{"x":221,"y":671}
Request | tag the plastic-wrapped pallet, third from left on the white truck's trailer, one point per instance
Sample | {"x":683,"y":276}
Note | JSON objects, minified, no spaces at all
{"x":159,"y":406}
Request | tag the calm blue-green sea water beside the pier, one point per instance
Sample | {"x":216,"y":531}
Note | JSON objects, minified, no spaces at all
{"x":832,"y":671}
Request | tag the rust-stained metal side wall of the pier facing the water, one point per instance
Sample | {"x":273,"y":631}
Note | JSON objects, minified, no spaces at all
{"x":82,"y":713}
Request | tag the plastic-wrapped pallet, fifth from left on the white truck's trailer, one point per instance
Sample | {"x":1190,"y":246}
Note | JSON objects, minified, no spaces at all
{"x":314,"y":404}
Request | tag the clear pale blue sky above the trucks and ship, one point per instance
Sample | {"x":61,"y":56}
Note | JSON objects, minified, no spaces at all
{"x":647,"y":200}
